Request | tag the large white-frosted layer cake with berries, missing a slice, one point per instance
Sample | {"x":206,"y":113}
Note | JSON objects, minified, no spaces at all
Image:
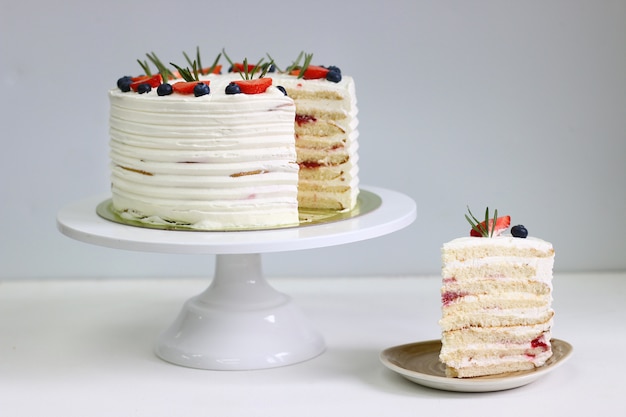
{"x":232,"y":160}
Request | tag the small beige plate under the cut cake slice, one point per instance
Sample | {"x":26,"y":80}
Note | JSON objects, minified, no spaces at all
{"x":419,"y":362}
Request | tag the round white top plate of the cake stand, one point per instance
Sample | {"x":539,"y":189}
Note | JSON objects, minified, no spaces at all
{"x":80,"y":221}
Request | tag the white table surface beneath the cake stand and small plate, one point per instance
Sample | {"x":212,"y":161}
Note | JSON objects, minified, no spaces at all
{"x":85,"y":348}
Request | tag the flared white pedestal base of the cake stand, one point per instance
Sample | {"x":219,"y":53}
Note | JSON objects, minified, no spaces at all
{"x":239,"y":323}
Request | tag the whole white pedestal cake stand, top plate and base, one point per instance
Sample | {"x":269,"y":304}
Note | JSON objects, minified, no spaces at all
{"x":239,"y":322}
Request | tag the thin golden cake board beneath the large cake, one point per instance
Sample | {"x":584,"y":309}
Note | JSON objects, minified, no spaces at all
{"x":366,"y":202}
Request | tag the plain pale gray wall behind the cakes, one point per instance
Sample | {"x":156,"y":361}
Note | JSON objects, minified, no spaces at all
{"x":520,"y":106}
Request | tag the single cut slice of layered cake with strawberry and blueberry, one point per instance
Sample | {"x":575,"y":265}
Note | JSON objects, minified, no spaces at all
{"x":496,"y":300}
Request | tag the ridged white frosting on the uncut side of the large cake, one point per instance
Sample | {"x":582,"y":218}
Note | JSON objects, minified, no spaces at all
{"x":212,"y":162}
